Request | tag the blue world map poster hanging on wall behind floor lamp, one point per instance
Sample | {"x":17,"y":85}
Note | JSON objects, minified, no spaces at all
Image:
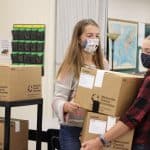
{"x":125,"y":46}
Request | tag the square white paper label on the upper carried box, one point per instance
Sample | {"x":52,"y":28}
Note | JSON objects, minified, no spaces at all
{"x":86,"y":80}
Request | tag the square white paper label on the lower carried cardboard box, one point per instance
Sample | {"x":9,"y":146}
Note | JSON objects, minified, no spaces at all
{"x":97,"y":126}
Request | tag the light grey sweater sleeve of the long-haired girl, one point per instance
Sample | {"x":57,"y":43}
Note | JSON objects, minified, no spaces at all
{"x":63,"y":88}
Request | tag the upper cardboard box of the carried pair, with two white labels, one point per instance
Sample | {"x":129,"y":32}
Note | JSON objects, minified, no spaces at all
{"x":114,"y":90}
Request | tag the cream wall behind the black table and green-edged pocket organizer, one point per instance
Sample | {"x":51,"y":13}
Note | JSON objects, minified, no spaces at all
{"x":32,"y":12}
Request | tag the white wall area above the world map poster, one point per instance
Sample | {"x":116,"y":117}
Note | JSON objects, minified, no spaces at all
{"x":134,"y":10}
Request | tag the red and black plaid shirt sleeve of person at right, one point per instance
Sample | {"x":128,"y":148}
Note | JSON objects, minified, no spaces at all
{"x":140,"y":107}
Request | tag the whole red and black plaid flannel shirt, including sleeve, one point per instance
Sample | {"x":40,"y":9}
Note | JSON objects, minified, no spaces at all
{"x":138,"y":115}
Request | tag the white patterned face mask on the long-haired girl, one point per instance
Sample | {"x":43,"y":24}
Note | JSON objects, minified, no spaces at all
{"x":90,"y":45}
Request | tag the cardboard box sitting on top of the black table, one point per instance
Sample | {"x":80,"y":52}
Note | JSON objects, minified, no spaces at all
{"x":20,"y":83}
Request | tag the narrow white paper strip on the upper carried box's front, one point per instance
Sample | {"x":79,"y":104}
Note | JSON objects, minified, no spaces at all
{"x":99,"y":78}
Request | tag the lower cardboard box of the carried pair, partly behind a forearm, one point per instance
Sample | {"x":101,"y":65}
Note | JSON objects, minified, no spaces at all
{"x":95,"y":124}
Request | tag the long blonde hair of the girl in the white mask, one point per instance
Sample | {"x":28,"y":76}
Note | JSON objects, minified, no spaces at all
{"x":73,"y":60}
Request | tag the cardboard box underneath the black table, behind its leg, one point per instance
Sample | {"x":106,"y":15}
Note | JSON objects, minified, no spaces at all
{"x":18,"y":134}
